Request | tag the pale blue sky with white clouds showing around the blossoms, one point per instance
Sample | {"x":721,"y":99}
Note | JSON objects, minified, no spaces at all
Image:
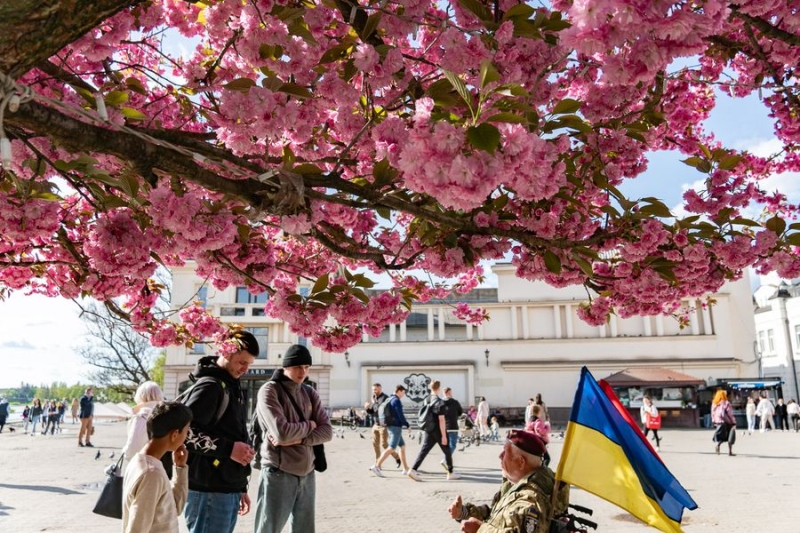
{"x":38,"y":335}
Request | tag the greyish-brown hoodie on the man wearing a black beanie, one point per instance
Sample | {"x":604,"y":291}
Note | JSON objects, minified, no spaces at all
{"x":277,"y":414}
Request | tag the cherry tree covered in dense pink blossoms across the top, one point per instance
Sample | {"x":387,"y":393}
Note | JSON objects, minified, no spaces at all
{"x":323,"y":142}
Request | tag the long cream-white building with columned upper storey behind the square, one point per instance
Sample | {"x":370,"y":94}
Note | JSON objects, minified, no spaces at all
{"x":533,"y":343}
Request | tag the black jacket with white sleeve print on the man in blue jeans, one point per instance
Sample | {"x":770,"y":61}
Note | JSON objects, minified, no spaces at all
{"x":210,"y":442}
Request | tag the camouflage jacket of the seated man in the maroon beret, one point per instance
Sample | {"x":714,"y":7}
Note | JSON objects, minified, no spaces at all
{"x":522,"y":507}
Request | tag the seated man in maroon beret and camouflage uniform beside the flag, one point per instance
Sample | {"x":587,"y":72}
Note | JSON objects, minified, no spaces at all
{"x":523,"y":501}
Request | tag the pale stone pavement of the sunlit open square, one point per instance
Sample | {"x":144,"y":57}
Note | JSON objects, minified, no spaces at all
{"x":49,"y":484}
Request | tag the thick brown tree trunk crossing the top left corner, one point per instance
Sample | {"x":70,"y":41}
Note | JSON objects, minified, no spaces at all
{"x":33,"y":30}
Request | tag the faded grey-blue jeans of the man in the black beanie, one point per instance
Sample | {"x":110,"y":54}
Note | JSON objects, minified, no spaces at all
{"x":280,"y":495}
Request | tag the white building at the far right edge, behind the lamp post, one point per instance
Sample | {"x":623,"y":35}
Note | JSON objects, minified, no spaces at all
{"x":777,"y":320}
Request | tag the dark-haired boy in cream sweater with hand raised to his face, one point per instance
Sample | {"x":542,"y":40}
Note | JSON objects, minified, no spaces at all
{"x":147,"y":504}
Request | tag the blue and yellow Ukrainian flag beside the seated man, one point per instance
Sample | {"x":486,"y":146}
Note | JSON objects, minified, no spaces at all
{"x":606,"y":454}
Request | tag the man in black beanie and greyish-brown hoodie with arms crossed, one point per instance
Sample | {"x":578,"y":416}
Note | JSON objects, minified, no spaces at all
{"x":293,"y":420}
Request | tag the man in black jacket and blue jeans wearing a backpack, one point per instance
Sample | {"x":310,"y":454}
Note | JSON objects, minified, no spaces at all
{"x":219,"y":453}
